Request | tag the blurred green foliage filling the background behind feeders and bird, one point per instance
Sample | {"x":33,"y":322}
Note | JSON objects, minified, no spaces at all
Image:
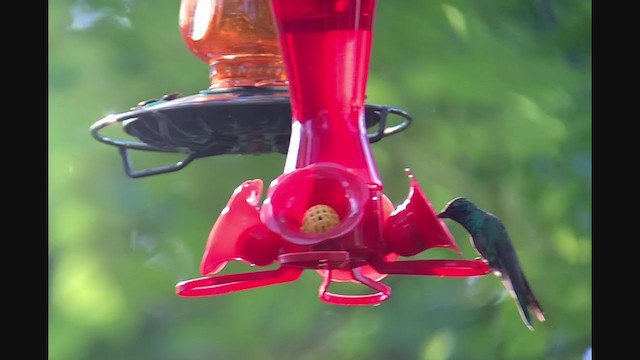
{"x":501,"y":94}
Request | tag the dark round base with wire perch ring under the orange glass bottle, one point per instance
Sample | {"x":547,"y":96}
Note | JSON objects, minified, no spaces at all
{"x":241,"y":121}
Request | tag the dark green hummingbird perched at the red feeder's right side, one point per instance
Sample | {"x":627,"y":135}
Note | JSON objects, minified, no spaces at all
{"x":490,"y":239}
